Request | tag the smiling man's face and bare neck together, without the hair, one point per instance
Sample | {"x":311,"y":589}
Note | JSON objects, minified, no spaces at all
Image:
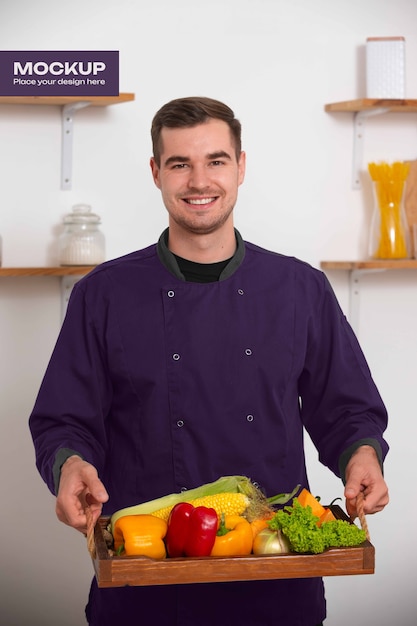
{"x":199,"y":174}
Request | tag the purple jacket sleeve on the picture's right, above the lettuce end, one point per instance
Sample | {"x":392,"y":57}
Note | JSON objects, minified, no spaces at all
{"x":341,"y":406}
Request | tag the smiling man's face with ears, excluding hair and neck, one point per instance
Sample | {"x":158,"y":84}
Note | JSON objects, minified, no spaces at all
{"x":199,"y":176}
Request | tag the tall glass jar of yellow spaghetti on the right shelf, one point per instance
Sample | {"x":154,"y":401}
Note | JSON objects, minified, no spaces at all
{"x":389,"y":236}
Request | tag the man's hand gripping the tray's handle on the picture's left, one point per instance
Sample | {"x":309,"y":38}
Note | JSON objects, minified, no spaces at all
{"x":79,"y":487}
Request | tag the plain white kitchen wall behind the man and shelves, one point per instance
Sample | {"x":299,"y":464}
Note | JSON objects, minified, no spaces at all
{"x":276,"y":62}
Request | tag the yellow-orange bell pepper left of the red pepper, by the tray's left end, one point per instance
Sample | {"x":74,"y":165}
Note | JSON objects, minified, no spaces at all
{"x":140,"y":535}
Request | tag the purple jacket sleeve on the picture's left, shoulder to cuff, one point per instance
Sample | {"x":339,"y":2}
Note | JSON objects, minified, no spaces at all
{"x":74,"y":397}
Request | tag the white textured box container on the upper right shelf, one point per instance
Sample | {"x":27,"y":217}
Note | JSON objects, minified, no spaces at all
{"x":385,"y":67}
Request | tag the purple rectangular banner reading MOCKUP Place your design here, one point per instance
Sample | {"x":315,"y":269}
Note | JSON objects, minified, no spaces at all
{"x":49,"y":73}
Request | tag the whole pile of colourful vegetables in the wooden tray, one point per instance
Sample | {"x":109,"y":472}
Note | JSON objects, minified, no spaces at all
{"x":229,"y":523}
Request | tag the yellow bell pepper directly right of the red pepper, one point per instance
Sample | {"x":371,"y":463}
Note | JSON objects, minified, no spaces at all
{"x":234,"y":537}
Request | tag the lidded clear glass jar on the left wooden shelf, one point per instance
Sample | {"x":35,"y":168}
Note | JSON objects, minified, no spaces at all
{"x":82,"y":242}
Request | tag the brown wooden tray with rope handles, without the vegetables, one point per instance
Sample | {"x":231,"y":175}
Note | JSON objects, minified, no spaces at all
{"x":116,"y":571}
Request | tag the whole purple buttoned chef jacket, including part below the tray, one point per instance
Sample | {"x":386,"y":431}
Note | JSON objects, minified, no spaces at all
{"x":164,"y":384}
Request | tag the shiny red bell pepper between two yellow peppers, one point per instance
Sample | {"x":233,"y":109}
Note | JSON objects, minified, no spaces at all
{"x":191,"y":530}
